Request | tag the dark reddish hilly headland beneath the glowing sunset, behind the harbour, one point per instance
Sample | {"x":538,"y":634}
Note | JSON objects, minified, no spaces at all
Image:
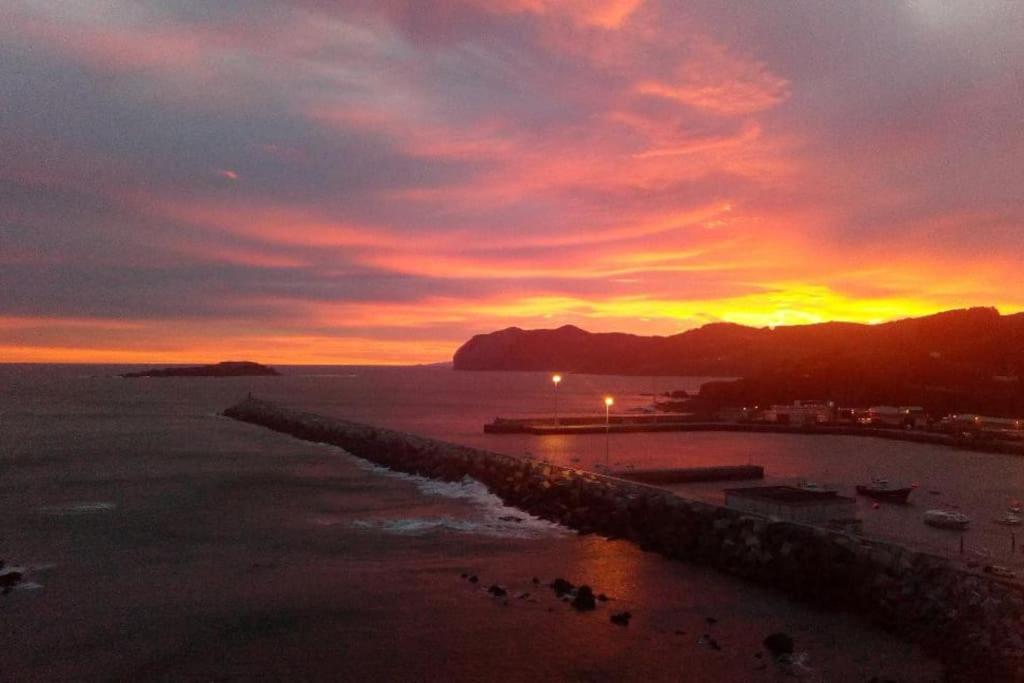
{"x":969,"y":360}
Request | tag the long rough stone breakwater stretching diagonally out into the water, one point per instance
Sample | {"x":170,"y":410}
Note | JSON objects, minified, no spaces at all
{"x":974,"y":623}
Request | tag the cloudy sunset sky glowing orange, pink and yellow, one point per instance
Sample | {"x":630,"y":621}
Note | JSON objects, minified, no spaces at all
{"x":377,"y":181}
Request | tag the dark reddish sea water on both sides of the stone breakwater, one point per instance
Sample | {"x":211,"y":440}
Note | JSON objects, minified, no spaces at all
{"x":160,"y":541}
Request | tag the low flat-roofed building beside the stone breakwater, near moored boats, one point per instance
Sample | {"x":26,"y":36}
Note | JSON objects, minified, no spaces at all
{"x":793,"y":504}
